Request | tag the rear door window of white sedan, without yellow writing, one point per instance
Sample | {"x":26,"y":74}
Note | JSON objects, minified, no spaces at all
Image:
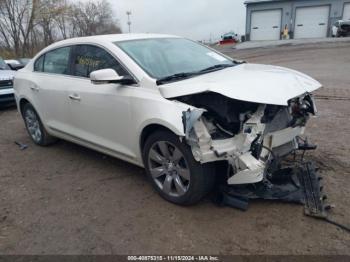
{"x":57,"y":61}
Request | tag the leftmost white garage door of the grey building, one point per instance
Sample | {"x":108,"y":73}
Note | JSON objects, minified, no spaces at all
{"x":266,"y":25}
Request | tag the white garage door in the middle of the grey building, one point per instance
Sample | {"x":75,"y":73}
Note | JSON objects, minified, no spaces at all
{"x":311,"y":22}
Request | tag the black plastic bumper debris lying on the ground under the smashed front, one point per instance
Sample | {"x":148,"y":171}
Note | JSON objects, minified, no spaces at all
{"x":298,"y":184}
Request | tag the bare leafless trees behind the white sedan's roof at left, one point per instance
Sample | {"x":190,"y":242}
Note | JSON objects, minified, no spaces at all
{"x":26,"y":26}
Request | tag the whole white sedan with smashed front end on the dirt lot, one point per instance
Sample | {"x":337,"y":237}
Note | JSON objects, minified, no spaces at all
{"x":171,"y":105}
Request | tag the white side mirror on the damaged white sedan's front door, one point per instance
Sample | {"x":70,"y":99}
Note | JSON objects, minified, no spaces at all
{"x":104,"y":76}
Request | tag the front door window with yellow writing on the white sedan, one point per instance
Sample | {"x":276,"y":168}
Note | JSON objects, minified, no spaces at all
{"x":89,"y":58}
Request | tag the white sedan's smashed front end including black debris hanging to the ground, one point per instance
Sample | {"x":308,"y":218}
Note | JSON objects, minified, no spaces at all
{"x":258,"y":143}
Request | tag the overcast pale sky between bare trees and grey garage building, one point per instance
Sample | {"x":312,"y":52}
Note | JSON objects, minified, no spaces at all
{"x":195,"y":19}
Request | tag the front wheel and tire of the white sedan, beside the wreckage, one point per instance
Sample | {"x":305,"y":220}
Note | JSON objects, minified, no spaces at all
{"x":173,"y":171}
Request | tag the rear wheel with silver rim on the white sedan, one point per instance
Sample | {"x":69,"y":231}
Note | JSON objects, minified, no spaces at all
{"x":35,"y":128}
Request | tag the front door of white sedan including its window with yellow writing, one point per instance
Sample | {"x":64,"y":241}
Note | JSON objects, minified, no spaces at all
{"x":99,"y":114}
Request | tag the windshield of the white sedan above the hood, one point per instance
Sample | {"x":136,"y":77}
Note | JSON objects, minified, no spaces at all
{"x":163,"y":57}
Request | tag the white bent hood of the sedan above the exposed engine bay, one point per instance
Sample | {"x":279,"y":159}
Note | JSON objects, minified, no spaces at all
{"x":263,"y":84}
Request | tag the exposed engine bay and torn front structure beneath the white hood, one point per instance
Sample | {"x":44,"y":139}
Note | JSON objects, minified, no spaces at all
{"x":248,"y":135}
